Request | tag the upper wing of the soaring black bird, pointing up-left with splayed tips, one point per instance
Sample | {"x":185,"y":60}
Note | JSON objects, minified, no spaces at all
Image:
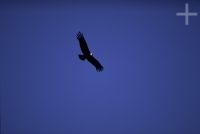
{"x":83,"y":44}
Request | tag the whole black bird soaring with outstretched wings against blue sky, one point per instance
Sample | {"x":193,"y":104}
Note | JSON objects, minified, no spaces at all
{"x":86,"y":54}
